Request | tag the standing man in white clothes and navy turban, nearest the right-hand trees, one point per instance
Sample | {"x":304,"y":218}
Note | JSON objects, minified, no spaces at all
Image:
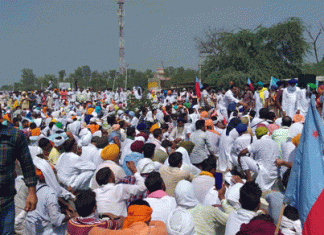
{"x":289,"y":99}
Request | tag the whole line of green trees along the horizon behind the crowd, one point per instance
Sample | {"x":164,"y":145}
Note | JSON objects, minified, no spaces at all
{"x":279,"y":51}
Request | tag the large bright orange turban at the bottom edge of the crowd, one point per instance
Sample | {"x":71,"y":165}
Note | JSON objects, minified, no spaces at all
{"x":137,"y":213}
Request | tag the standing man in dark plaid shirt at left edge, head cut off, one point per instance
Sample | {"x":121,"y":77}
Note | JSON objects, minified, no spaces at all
{"x":13,"y":146}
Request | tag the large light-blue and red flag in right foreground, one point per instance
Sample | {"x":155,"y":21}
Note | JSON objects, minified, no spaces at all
{"x":306,"y":181}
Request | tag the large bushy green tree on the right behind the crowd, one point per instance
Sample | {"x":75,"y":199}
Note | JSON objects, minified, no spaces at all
{"x":257,"y":54}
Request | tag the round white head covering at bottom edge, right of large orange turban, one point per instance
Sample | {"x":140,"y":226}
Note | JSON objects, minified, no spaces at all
{"x":180,"y":222}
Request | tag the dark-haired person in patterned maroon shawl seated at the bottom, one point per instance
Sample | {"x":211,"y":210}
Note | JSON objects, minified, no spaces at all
{"x":85,"y":204}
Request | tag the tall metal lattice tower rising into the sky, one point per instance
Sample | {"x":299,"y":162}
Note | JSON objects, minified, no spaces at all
{"x":121,"y":14}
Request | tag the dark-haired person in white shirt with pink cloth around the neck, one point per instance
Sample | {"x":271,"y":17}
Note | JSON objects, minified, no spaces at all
{"x":161,"y":203}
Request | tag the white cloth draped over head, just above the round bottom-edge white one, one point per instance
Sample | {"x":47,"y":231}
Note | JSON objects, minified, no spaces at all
{"x":185,"y":195}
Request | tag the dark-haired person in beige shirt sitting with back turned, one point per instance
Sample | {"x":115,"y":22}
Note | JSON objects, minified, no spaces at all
{"x":172,"y":174}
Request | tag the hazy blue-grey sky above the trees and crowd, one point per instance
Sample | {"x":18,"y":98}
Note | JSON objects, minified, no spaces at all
{"x":52,"y":35}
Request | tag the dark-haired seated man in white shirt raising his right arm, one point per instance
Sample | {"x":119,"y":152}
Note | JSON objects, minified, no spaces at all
{"x":111,"y":197}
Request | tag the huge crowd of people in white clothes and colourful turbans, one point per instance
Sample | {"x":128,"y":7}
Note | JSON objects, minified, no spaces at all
{"x":84,"y":162}
